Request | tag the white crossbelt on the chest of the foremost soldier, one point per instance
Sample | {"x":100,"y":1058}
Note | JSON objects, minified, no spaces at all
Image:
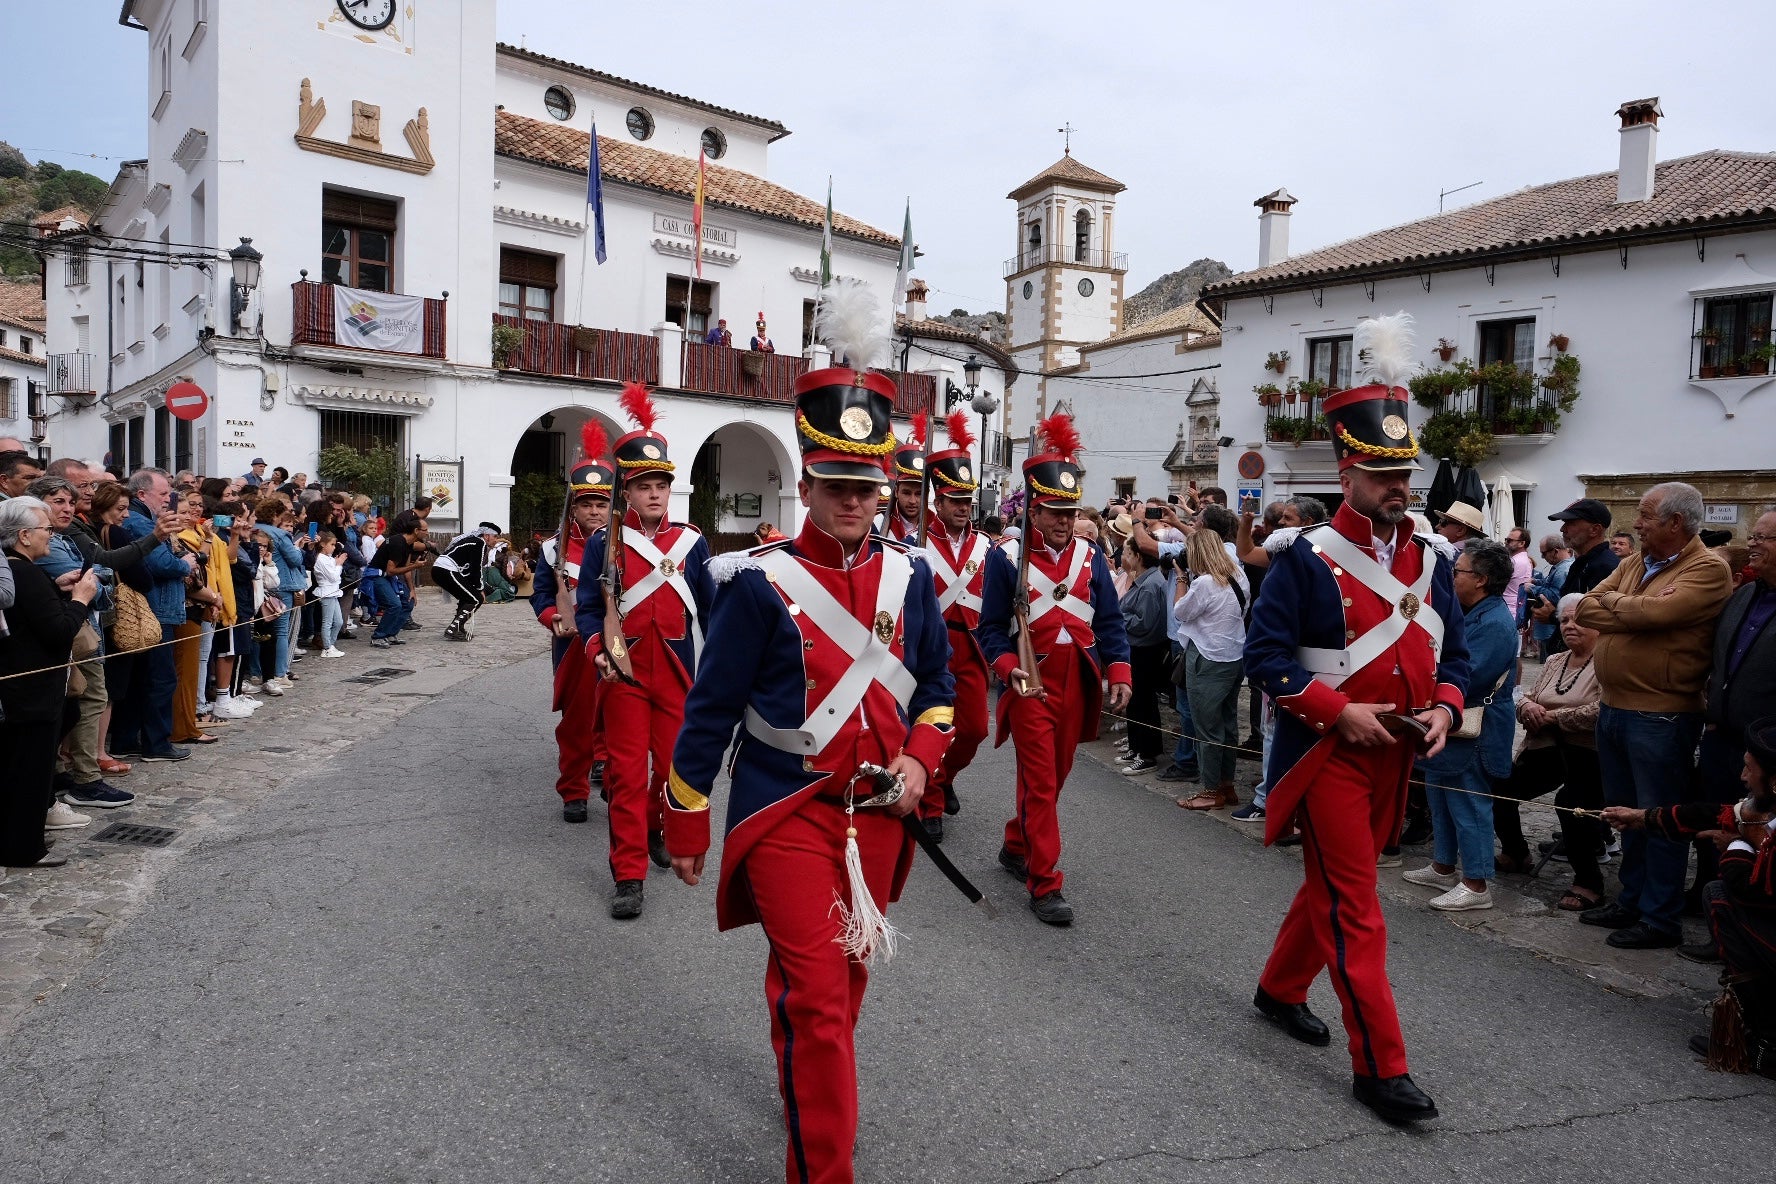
{"x":873,"y":659}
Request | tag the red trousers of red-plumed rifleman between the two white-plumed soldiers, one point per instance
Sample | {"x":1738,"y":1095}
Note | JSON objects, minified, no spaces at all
{"x":1047,"y":734}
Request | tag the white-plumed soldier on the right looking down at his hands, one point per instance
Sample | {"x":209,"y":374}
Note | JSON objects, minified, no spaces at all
{"x":1360,"y":643}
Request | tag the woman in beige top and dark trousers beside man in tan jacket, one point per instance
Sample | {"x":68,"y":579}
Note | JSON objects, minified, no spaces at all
{"x":1560,"y":754}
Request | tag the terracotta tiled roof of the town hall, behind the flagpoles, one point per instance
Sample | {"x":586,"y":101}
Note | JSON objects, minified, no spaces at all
{"x":567,"y":148}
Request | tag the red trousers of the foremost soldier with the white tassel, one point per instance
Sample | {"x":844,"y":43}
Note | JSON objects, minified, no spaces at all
{"x":813,"y":988}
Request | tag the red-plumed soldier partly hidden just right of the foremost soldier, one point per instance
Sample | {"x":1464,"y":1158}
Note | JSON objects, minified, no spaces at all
{"x":958,"y":558}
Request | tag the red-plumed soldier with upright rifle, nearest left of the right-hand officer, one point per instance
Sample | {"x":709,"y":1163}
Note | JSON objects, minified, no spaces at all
{"x":1077,"y":642}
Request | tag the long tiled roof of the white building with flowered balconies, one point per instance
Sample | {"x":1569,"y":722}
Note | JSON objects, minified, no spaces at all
{"x":1690,"y":193}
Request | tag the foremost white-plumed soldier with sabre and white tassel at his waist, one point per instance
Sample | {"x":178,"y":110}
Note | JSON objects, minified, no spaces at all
{"x":830,"y":651}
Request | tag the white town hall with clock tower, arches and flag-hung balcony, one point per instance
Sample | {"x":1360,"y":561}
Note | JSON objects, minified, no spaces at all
{"x":443,"y":180}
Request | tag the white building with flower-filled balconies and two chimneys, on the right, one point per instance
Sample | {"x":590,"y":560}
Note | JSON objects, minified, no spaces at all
{"x":1656,"y":280}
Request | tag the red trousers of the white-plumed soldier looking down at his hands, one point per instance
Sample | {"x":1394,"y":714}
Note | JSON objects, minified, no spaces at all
{"x":1335,"y":924}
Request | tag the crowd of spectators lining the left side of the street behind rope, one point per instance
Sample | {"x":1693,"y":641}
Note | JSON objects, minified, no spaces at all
{"x":141,"y":619}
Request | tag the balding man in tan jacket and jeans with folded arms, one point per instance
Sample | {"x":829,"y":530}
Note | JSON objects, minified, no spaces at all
{"x":1656,"y":615}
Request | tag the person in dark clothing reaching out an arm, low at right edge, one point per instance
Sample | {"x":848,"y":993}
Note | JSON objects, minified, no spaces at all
{"x":1741,"y":904}
